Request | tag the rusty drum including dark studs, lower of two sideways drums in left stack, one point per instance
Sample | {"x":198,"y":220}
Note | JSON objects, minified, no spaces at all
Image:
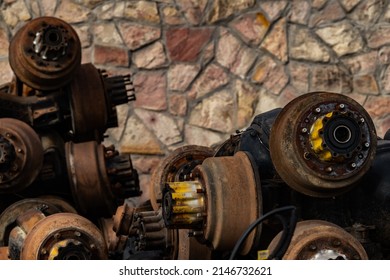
{"x":100,"y":179}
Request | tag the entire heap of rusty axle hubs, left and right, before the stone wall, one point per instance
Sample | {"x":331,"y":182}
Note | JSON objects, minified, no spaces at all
{"x":307,"y":181}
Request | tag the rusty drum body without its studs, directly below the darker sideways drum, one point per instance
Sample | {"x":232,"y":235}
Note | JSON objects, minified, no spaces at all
{"x":89,"y":181}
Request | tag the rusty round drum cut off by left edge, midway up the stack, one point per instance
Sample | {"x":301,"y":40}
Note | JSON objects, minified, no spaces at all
{"x":21,"y":155}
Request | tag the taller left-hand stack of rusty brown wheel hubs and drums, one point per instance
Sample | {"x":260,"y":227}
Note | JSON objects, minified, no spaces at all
{"x":59,"y":185}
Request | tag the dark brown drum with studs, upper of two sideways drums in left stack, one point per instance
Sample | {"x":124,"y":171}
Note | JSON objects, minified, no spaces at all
{"x":89,"y":122}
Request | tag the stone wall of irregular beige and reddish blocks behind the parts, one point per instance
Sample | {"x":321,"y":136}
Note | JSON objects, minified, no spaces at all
{"x":203,"y":69}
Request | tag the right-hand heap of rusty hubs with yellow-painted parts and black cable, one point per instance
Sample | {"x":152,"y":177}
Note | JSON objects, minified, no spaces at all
{"x":307,"y":181}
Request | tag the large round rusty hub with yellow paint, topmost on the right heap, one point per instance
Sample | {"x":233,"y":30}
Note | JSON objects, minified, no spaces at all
{"x":322,"y":143}
